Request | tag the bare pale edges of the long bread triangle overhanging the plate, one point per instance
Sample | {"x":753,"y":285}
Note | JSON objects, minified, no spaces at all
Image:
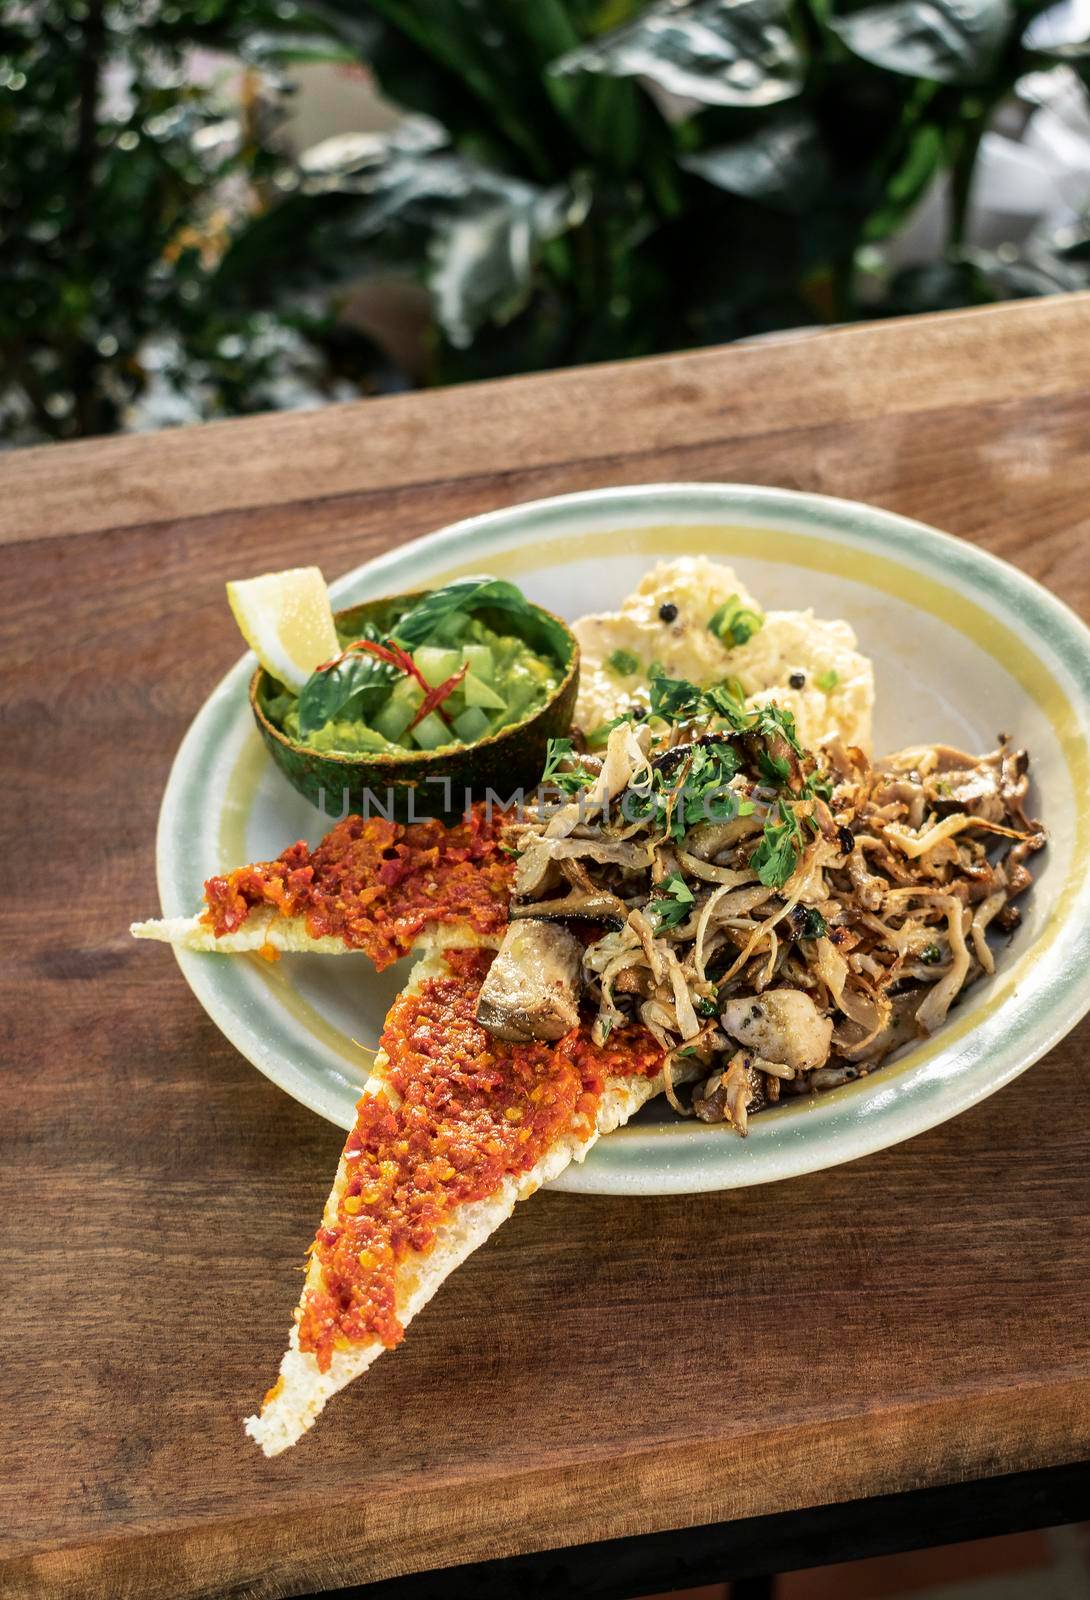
{"x":303,"y":1390}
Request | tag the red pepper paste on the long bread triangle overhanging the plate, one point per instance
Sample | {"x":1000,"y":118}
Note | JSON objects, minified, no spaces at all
{"x":473,"y":1110}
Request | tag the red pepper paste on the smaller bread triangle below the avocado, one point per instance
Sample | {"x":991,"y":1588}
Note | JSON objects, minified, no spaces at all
{"x":379,"y":884}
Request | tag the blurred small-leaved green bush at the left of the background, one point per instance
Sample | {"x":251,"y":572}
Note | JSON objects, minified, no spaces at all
{"x":121,"y":185}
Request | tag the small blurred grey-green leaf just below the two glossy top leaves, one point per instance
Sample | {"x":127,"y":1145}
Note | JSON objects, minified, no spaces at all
{"x":782,"y":164}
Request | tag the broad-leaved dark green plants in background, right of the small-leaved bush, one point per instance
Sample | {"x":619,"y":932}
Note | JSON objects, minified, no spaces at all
{"x":604,"y":178}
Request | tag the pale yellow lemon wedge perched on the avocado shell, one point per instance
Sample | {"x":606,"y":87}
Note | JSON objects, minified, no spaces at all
{"x":287,"y":622}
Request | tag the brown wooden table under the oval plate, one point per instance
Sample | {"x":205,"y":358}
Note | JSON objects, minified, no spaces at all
{"x":604,"y":1369}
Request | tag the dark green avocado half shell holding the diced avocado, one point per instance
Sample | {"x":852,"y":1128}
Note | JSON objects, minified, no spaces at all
{"x":441,"y":783}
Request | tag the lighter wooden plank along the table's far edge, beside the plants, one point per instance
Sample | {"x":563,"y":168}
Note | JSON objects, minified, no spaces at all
{"x":417,"y":439}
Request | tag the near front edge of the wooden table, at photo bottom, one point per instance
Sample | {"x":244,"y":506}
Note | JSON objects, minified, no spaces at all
{"x":711,"y":1482}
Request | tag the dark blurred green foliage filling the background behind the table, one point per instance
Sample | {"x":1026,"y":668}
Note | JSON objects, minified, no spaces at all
{"x":580,"y":180}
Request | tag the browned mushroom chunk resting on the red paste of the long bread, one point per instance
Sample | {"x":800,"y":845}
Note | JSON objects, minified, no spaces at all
{"x":534,"y":986}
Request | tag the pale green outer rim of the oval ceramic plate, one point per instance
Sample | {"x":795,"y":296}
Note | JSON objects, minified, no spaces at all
{"x":1057,"y":1010}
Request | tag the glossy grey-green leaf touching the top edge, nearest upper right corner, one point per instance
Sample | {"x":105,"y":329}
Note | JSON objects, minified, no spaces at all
{"x":945,"y":41}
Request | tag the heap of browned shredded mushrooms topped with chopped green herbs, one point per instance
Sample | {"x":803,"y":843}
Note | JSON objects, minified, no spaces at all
{"x":827,"y":911}
